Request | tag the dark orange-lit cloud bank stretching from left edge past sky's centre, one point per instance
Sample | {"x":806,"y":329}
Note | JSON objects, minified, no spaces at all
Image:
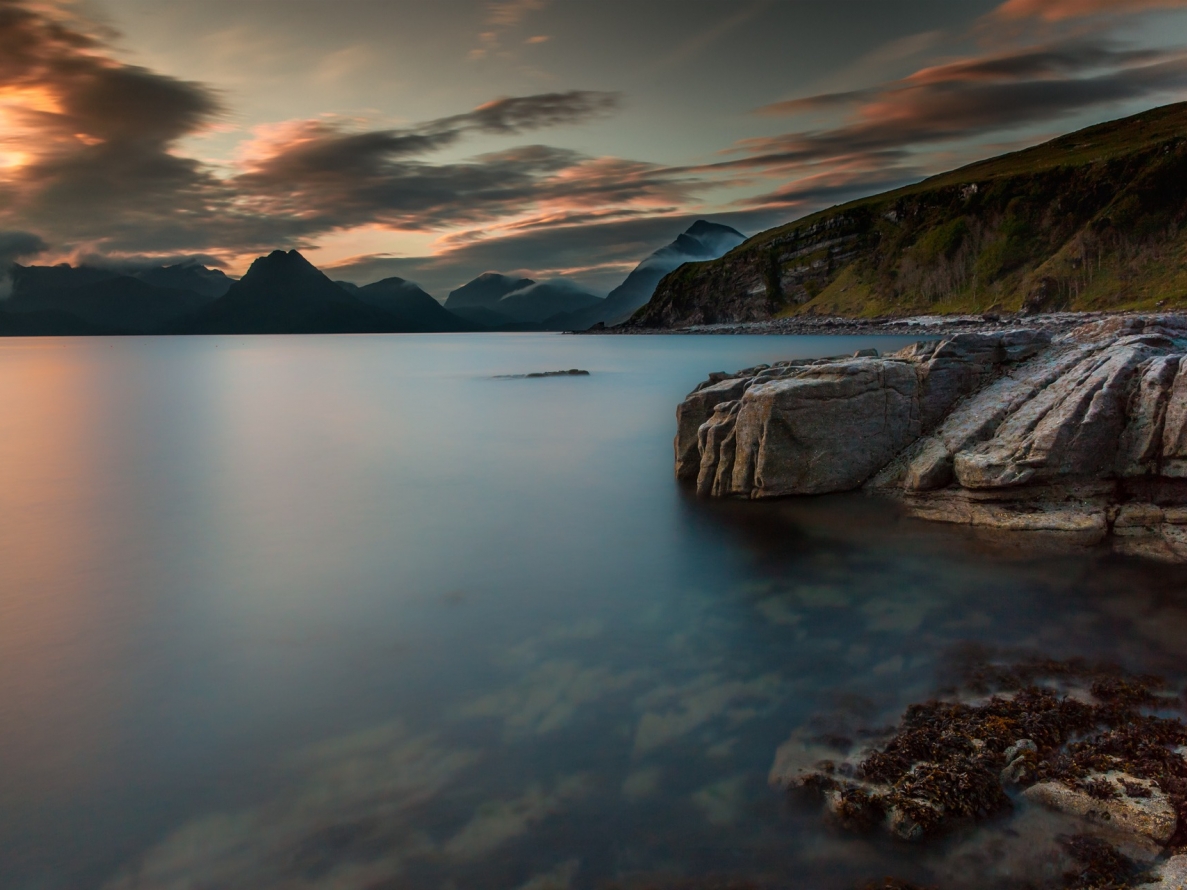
{"x":106,"y":173}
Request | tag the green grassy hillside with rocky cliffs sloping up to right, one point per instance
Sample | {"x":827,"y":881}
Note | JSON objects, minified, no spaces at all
{"x":1096,"y":220}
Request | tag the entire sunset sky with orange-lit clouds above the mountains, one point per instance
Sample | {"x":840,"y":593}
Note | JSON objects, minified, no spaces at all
{"x":440,"y":139}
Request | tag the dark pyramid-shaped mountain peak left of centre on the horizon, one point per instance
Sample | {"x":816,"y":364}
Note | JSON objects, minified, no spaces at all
{"x":285,"y":294}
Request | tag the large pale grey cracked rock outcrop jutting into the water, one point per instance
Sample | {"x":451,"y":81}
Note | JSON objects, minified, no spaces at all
{"x":1083,"y":435}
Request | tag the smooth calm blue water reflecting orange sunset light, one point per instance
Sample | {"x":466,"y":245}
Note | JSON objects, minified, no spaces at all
{"x":346,"y":613}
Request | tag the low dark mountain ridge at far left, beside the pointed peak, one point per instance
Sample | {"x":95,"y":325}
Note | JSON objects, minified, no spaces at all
{"x":104,"y":302}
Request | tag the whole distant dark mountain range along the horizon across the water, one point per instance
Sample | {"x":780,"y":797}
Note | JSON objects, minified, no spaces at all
{"x":285,"y":294}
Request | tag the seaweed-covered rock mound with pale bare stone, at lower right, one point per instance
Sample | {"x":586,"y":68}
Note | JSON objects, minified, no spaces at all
{"x":1075,"y":739}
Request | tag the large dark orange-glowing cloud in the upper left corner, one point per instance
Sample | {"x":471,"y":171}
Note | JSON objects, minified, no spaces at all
{"x":94,"y":136}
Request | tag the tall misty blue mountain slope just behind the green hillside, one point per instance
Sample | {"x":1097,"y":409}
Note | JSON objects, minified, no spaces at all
{"x":701,"y":241}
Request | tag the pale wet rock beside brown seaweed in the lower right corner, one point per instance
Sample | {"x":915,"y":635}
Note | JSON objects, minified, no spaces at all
{"x":1134,"y":809}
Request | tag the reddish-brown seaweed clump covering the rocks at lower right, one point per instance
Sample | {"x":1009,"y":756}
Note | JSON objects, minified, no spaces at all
{"x":950,"y":762}
